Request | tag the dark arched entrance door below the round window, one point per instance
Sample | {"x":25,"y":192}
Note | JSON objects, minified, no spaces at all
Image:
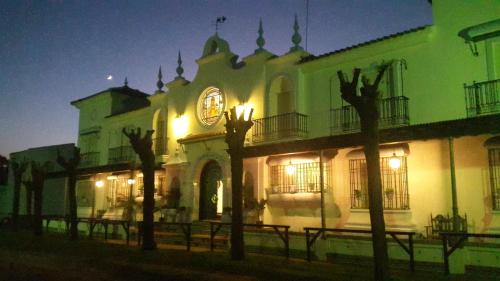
{"x":209,"y":181}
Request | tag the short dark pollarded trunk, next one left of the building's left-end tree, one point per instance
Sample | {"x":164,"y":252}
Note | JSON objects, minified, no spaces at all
{"x":38,"y":174}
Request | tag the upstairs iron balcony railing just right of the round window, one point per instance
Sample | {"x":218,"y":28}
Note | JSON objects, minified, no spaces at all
{"x":291,"y":125}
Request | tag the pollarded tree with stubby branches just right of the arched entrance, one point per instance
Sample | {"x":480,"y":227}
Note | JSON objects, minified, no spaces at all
{"x":236,"y":129}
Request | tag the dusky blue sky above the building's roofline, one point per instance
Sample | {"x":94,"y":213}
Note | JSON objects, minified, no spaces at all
{"x":54,"y":52}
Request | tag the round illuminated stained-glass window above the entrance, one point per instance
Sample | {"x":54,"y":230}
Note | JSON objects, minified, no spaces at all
{"x":210,"y":106}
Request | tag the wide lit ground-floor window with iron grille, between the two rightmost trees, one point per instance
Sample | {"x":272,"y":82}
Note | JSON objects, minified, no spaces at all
{"x":297,"y":177}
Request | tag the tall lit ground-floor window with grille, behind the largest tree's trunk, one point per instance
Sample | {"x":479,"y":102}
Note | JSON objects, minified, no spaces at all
{"x":394,"y":184}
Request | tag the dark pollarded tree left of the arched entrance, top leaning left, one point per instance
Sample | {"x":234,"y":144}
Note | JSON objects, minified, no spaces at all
{"x":143,"y":147}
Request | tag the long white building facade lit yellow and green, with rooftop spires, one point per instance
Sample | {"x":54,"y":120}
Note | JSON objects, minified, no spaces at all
{"x":439,"y":106}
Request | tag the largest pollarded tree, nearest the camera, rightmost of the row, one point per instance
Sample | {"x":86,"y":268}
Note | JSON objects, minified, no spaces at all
{"x":366,"y":105}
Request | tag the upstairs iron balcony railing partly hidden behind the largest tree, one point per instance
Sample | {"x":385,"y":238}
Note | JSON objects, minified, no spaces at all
{"x":393,"y":113}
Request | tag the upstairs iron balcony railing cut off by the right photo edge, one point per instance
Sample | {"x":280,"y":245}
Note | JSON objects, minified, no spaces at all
{"x":482,"y":98}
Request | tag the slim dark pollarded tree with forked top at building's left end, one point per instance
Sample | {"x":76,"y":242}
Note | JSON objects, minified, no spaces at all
{"x":70,"y":167}
